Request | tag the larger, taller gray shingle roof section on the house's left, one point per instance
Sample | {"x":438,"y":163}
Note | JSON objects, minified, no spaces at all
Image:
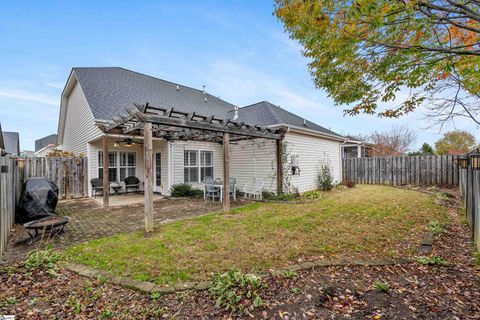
{"x":110,"y":91}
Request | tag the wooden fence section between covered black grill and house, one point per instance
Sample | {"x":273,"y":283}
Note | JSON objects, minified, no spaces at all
{"x":68,"y":173}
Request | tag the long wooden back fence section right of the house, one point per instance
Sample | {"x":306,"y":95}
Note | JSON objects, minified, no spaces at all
{"x":414,"y":170}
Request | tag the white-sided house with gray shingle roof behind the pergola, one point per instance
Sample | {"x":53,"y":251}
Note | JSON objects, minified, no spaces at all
{"x":92,"y":97}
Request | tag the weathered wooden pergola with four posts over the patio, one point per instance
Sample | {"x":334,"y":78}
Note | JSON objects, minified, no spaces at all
{"x":149,"y":121}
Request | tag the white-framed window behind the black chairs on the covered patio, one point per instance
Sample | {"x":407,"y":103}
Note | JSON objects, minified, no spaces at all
{"x":120,"y":165}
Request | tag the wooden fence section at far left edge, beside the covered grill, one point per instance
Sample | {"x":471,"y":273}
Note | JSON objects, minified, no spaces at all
{"x":10,"y":187}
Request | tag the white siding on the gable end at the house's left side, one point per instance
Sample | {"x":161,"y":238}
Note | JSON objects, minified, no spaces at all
{"x":79,"y":123}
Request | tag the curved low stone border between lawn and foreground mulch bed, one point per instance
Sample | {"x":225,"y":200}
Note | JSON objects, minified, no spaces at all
{"x":149,"y":287}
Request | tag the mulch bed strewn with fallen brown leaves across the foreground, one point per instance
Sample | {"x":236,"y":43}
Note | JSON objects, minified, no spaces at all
{"x":416,"y":292}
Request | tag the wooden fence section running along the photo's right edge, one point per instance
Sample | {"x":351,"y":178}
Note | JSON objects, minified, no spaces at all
{"x":470,"y":190}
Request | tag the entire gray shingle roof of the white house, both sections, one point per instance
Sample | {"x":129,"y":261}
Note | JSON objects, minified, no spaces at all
{"x":111,"y":90}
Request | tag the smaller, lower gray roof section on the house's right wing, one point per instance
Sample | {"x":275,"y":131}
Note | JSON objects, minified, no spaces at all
{"x":268,"y":114}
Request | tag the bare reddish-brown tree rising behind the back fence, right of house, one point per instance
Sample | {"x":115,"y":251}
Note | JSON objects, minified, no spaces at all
{"x":395,"y":142}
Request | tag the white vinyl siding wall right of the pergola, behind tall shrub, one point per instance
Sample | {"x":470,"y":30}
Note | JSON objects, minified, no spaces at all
{"x":312,"y":151}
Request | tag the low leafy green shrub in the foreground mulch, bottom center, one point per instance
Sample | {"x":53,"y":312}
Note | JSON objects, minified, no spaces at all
{"x":236,"y":291}
